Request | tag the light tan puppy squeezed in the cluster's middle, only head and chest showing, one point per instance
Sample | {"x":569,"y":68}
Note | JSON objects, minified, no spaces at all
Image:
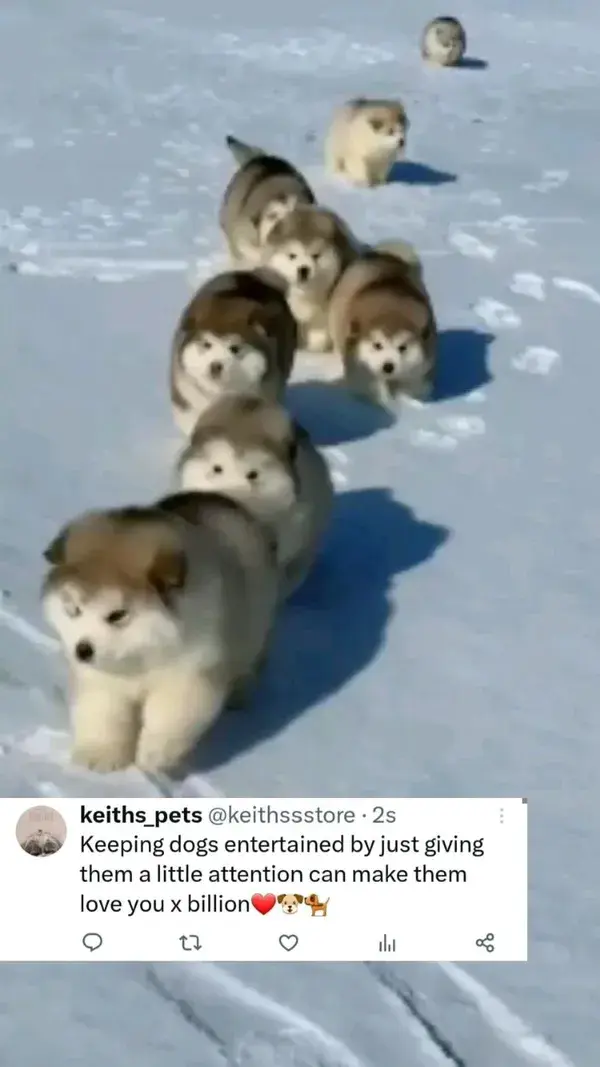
{"x":310,"y":249}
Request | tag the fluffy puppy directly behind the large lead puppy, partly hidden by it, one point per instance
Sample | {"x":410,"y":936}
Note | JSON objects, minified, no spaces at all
{"x":254,"y":452}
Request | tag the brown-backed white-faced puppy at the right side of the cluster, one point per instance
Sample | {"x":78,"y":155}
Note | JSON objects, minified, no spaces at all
{"x":384,"y":326}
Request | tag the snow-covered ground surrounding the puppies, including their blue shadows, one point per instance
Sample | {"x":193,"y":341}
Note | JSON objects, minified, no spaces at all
{"x":454,"y":618}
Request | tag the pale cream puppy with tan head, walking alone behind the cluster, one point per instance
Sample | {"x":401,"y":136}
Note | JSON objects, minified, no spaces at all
{"x":366,"y":139}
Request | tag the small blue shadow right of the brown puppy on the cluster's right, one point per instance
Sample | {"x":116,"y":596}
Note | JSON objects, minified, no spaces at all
{"x":463,"y":363}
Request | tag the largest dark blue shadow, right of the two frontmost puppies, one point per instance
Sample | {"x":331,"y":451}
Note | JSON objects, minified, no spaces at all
{"x":337,"y":623}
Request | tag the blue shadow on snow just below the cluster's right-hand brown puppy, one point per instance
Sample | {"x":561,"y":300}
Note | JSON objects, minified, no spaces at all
{"x":333,"y":416}
